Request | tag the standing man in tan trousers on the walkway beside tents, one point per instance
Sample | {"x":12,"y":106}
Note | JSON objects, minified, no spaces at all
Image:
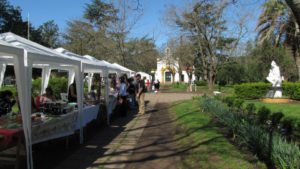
{"x":140,"y":94}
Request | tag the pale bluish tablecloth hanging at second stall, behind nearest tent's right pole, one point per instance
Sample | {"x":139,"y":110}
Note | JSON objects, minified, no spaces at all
{"x":89,"y":114}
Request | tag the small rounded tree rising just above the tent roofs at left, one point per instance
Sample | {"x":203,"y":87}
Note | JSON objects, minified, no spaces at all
{"x":50,"y":34}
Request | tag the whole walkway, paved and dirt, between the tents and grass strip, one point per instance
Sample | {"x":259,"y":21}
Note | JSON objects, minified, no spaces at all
{"x":143,"y":142}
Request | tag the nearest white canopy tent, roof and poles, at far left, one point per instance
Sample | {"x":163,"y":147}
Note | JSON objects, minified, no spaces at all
{"x":36,"y":55}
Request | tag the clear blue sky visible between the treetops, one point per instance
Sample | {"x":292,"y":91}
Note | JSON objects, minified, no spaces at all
{"x":151,"y":22}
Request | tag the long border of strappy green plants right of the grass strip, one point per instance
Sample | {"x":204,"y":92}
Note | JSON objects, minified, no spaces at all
{"x":283,"y":155}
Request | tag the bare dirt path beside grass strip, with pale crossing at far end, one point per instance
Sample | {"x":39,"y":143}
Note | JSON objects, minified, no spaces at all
{"x":157,"y":147}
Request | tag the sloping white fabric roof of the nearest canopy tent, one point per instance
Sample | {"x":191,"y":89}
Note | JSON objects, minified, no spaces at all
{"x":39,"y":53}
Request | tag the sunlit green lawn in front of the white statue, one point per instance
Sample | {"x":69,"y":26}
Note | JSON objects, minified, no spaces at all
{"x":289,"y":110}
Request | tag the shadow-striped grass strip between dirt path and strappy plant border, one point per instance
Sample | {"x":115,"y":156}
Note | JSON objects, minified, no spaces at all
{"x":211,"y":148}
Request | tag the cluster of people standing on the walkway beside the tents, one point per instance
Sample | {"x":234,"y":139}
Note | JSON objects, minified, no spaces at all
{"x":131,"y":93}
